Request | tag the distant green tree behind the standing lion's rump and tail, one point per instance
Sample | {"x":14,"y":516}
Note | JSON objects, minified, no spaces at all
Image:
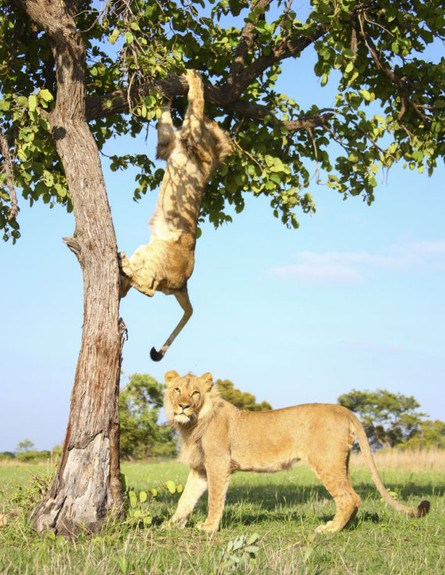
{"x":389,"y":419}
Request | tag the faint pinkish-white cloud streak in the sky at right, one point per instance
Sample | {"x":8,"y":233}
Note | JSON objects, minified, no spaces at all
{"x":353,"y":267}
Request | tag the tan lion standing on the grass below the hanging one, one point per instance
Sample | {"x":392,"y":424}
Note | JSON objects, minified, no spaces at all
{"x":217,"y":439}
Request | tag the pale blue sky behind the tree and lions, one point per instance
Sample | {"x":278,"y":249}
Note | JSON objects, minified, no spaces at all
{"x":352,"y":299}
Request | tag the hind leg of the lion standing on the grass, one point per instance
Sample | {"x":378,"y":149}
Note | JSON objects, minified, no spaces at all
{"x":334,"y":474}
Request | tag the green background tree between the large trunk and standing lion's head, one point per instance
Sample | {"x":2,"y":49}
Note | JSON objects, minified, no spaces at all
{"x":139,"y":406}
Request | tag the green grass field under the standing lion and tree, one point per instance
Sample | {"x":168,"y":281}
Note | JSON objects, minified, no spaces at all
{"x":268,"y":526}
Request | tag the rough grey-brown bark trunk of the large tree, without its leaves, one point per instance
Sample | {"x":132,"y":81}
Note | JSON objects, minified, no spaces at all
{"x":87,"y":486}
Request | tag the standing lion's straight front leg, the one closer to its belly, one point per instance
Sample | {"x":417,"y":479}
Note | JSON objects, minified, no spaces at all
{"x":218,"y":478}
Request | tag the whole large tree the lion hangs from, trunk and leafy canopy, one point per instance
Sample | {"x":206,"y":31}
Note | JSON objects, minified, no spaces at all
{"x":72,"y":77}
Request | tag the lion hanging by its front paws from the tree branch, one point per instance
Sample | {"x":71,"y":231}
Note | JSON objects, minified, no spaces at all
{"x":192,"y":154}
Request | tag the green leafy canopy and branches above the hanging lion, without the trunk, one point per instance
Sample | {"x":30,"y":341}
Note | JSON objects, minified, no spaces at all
{"x":378,"y":57}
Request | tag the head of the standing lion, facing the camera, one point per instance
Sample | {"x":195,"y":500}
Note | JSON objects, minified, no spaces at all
{"x":189,"y":398}
